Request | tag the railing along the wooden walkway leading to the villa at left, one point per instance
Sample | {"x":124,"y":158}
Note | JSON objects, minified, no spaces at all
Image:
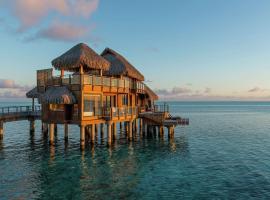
{"x":18,"y":109}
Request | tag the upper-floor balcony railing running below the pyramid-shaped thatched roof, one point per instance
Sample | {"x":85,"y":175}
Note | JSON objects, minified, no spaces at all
{"x":94,"y":80}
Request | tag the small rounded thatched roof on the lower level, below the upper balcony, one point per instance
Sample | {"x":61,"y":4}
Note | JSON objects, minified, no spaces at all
{"x":58,"y":95}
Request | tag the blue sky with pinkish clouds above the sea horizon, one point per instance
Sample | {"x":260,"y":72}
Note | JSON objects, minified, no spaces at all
{"x":187,"y":49}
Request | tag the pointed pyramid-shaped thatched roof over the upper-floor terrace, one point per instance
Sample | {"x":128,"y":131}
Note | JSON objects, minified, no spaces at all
{"x":80,"y":55}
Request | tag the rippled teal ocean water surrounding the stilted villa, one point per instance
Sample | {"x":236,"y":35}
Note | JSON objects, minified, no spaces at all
{"x":223,"y":154}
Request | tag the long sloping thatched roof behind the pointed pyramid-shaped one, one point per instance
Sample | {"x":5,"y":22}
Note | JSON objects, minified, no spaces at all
{"x":120,"y":66}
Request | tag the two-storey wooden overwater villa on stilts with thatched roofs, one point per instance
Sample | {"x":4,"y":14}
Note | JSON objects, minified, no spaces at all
{"x":94,"y":91}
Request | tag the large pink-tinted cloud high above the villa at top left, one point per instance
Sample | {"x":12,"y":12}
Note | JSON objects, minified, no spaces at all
{"x":53,"y":19}
